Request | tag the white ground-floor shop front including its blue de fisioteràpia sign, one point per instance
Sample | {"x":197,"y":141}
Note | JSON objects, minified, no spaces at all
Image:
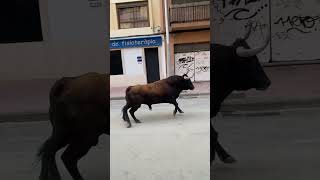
{"x":137,"y":60}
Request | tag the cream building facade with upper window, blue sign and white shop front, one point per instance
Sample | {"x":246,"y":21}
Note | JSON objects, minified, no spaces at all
{"x":137,"y":49}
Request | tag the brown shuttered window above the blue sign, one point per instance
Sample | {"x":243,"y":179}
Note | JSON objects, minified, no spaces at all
{"x":133,"y":15}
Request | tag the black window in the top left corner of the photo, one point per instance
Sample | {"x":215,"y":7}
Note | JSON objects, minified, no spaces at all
{"x":20,"y":21}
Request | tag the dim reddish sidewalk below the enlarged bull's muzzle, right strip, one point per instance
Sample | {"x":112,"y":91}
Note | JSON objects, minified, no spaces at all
{"x":292,"y":86}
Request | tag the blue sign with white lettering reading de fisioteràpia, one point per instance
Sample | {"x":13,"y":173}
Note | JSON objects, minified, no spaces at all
{"x":146,"y":41}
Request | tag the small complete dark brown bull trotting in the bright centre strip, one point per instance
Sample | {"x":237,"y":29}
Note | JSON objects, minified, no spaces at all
{"x":162,"y":91}
